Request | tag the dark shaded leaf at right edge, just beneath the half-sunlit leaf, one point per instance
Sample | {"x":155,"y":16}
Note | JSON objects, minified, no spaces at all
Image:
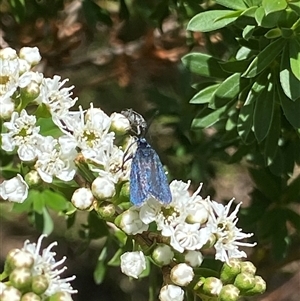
{"x":291,"y":109}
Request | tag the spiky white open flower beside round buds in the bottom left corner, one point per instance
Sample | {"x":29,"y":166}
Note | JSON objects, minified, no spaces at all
{"x":45,"y":264}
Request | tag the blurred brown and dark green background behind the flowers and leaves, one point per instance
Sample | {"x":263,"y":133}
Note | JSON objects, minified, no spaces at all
{"x":127,"y":54}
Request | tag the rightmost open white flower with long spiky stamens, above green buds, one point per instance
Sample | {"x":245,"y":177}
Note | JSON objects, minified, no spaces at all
{"x":223,"y":226}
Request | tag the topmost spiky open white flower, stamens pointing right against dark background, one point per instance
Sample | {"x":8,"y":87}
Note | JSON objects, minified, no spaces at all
{"x":57,"y":99}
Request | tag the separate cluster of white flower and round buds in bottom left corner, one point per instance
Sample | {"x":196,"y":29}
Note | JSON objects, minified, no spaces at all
{"x":33,"y":274}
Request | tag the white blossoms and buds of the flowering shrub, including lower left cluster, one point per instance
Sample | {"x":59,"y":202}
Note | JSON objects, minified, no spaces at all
{"x":55,"y":145}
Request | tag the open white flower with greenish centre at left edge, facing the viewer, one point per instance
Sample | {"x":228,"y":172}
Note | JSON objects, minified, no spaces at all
{"x":23,"y":133}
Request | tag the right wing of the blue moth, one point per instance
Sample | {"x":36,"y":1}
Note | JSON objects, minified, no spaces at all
{"x":157,"y":179}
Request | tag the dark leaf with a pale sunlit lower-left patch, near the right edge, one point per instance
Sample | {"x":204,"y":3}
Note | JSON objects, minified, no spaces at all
{"x":289,"y":83}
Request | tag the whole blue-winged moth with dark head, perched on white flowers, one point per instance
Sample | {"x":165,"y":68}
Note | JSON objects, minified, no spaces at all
{"x":147,"y":175}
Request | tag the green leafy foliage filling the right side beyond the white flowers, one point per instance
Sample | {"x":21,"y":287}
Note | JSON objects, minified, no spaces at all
{"x":253,"y":97}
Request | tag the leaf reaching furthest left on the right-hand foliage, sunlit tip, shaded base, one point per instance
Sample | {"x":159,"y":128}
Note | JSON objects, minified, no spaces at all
{"x":204,"y":64}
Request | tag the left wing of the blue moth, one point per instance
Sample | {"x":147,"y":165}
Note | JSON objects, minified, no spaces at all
{"x":139,"y":188}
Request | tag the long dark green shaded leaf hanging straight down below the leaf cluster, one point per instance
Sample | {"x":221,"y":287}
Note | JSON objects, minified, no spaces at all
{"x":263,"y":112}
